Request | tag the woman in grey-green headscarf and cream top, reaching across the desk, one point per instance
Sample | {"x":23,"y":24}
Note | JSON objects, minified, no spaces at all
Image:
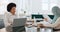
{"x":55,"y":25}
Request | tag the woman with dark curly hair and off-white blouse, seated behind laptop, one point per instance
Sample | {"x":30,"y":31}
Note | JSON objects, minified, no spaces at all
{"x":9,"y":16}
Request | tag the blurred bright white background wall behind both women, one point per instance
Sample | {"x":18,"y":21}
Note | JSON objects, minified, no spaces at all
{"x":29,"y":7}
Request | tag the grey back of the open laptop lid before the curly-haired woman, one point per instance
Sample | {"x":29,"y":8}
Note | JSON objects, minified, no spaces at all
{"x":19,"y":22}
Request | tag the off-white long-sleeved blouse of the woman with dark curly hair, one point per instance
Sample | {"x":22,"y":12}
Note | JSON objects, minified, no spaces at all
{"x":8,"y":19}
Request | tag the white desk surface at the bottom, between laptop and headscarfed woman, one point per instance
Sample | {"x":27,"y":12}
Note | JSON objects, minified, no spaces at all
{"x":35,"y":29}
